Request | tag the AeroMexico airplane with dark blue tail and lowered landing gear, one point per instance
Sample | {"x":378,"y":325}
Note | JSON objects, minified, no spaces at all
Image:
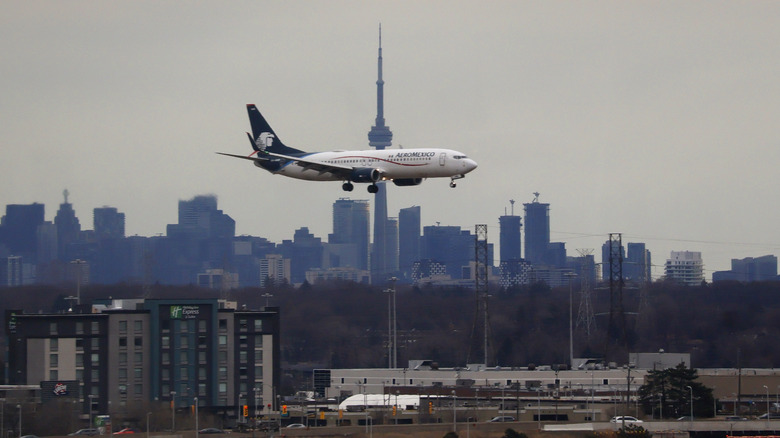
{"x":404,"y":167}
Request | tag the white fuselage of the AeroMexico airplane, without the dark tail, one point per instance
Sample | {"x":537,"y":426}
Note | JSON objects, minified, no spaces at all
{"x":391,"y":163}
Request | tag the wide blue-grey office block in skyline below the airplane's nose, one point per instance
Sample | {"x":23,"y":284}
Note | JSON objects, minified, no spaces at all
{"x":450,"y":246}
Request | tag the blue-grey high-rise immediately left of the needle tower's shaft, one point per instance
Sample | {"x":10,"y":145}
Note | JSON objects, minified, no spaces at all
{"x":351,"y":232}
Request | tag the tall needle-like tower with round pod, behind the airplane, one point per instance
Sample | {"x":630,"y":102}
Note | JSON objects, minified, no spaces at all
{"x":384,"y":259}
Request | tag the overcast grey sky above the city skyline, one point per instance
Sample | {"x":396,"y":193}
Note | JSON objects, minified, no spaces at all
{"x":655,"y":119}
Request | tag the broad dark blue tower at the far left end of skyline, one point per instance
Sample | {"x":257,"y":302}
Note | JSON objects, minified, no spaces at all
{"x":20,"y":225}
